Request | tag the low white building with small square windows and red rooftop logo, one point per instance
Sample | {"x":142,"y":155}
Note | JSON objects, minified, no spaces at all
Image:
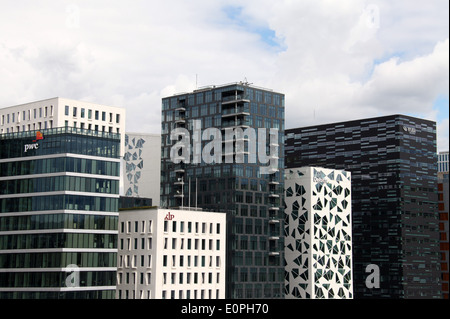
{"x":171,"y":254}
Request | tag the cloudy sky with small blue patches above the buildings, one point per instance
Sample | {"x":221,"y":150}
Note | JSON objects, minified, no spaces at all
{"x":335,"y":60}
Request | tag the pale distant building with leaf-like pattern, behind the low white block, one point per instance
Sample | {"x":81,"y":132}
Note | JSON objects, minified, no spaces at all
{"x":142,"y":166}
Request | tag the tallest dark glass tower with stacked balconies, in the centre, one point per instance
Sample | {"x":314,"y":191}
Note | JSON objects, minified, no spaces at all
{"x":252,"y":198}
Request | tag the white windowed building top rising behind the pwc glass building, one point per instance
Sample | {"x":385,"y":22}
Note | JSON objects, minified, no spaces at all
{"x":60,"y":112}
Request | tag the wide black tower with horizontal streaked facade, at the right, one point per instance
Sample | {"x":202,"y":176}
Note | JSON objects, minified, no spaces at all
{"x":393,"y":163}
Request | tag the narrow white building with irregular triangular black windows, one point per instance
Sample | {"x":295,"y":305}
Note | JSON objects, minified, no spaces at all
{"x":318,"y":242}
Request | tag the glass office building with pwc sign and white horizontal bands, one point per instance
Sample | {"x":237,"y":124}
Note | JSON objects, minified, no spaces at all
{"x":59,"y":193}
